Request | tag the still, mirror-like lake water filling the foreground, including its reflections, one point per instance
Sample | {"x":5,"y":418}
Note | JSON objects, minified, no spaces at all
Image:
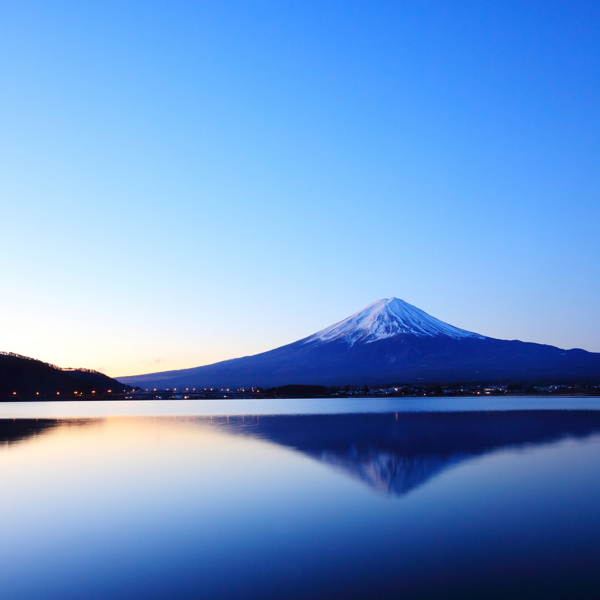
{"x":404,"y":498}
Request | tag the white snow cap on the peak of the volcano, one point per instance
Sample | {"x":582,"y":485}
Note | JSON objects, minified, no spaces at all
{"x":386,"y":318}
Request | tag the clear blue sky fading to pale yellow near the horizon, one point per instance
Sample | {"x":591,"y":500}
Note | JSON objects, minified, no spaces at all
{"x":185,"y":182}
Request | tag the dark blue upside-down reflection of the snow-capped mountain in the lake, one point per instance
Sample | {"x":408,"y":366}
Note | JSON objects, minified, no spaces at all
{"x":396,"y":453}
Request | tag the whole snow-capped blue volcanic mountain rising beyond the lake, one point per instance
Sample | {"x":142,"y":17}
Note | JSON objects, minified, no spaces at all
{"x":389,"y":341}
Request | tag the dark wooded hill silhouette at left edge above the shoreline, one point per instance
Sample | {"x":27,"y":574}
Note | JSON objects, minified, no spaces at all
{"x":24,"y":378}
